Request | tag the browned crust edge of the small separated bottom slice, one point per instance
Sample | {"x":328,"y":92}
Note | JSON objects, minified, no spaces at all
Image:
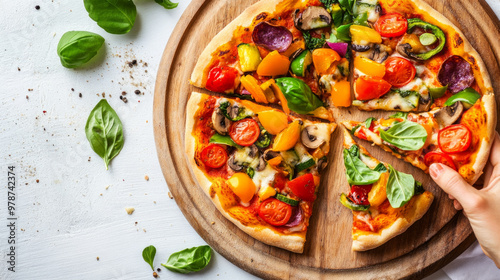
{"x":367,"y":241}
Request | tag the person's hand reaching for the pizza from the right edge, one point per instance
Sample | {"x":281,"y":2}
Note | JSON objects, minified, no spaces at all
{"x":481,"y":207}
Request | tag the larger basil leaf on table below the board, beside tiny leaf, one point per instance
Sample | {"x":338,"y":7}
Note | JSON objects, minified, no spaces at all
{"x":189,"y":260}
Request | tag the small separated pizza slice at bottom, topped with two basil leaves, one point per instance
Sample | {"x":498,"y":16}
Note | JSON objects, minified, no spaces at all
{"x":384,"y":202}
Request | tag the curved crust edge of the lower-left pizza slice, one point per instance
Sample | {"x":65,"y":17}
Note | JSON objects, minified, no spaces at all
{"x":294,"y":242}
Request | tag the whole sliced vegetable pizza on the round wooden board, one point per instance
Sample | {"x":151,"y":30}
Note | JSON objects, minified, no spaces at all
{"x":261,"y":166}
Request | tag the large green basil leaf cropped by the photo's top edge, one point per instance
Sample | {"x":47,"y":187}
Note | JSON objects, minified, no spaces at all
{"x":114,"y":16}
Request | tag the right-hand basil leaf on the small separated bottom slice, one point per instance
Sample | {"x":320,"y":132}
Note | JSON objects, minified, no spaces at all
{"x":400,"y":188}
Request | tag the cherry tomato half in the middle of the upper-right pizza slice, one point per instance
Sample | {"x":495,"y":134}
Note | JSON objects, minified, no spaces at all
{"x":399,"y":71}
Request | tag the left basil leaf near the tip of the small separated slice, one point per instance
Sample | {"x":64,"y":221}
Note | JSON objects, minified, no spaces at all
{"x":357,"y":172}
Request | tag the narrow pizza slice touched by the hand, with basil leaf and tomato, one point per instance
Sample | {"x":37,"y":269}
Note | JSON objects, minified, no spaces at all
{"x":459,"y":135}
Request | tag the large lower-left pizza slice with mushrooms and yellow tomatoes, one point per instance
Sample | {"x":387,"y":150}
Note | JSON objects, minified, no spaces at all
{"x":260,"y":167}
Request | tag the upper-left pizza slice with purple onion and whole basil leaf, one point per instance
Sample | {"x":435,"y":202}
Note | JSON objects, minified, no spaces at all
{"x":291,"y":52}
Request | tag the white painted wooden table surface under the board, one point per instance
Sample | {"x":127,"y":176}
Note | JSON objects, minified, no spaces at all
{"x":71,"y":220}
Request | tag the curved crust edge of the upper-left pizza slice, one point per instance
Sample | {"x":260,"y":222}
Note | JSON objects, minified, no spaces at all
{"x":226,"y":35}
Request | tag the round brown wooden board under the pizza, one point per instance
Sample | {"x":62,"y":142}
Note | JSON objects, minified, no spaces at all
{"x":440,"y":236}
